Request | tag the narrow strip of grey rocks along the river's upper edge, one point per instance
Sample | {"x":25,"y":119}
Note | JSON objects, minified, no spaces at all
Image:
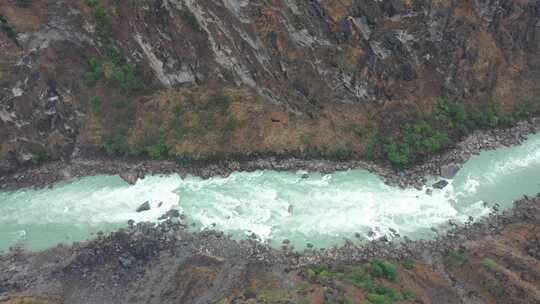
{"x":446,"y":164}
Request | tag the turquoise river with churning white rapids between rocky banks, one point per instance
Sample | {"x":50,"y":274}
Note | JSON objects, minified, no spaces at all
{"x":322,"y":210}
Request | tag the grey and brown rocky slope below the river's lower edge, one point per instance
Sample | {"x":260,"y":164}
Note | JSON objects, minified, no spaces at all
{"x":169,"y":264}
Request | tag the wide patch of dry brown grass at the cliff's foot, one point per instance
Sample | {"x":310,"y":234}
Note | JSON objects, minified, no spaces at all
{"x":261,"y":127}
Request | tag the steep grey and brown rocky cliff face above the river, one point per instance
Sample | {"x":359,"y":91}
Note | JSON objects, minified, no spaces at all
{"x":221,"y":77}
